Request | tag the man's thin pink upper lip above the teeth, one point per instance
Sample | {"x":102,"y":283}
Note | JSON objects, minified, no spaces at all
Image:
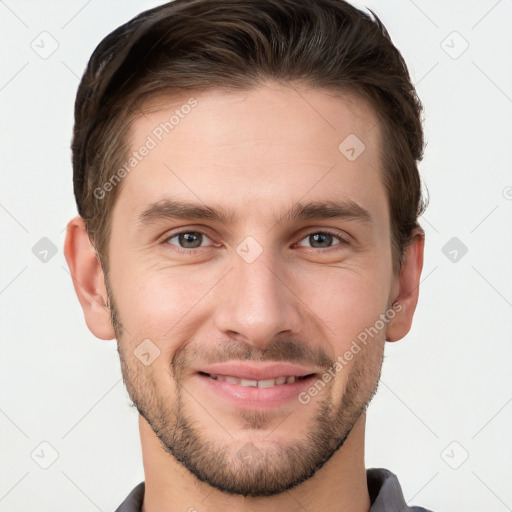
{"x":257,"y":371}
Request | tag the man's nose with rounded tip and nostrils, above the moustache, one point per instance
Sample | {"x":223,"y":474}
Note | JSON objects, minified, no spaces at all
{"x":257,"y":303}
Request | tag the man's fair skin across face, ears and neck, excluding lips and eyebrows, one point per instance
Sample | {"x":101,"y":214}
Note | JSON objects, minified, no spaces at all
{"x":257,"y":153}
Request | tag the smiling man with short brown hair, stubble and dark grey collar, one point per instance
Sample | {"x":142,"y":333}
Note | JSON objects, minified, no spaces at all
{"x":248,"y":194}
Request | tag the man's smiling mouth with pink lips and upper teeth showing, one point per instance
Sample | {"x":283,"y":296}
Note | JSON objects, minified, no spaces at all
{"x":250,"y":386}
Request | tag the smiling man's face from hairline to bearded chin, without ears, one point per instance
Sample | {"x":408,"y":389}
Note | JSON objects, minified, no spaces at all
{"x":248,"y":254}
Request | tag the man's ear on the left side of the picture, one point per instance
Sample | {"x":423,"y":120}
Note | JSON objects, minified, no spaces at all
{"x":88,"y":279}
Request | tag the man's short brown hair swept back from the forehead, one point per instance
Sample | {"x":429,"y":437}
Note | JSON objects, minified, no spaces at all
{"x":198,"y":45}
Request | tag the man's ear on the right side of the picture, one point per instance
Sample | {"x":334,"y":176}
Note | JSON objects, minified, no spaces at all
{"x":407,"y":288}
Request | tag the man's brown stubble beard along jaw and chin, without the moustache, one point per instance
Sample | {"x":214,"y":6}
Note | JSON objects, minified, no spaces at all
{"x":247,"y":469}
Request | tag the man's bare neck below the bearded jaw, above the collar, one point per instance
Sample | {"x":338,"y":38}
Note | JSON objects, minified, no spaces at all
{"x":340,"y":485}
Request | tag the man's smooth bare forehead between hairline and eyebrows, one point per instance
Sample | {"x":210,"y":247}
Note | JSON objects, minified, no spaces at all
{"x":272,"y":144}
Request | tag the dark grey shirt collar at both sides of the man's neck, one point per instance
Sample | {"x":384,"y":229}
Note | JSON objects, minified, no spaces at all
{"x":383,"y":487}
